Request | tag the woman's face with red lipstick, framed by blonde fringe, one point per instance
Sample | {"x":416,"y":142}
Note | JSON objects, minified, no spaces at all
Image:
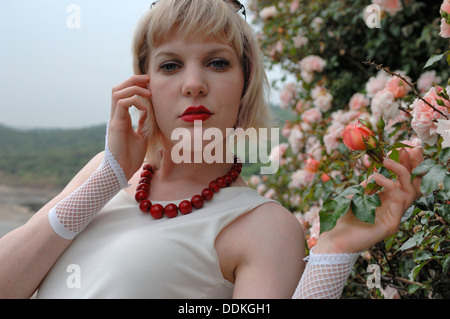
{"x":196,"y":80}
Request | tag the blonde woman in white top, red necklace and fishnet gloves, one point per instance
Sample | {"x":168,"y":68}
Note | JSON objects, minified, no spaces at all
{"x":194,"y":61}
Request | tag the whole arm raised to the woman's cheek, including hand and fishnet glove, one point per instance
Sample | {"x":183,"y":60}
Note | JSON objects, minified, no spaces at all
{"x":28,"y":253}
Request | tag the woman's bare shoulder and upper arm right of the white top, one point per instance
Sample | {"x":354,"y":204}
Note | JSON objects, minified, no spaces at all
{"x":266,"y":250}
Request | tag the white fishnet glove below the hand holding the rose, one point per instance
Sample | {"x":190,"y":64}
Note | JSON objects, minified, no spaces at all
{"x":325,"y":275}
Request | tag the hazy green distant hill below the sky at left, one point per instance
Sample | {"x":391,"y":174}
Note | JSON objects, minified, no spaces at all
{"x":46,"y":157}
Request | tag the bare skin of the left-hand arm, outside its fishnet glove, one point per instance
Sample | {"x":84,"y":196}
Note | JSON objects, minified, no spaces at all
{"x":28,"y":252}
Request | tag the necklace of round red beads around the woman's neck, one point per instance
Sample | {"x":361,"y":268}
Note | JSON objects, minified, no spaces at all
{"x":157,"y":211}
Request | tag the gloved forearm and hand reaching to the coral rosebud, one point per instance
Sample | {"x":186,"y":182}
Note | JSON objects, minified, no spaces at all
{"x":332,"y":259}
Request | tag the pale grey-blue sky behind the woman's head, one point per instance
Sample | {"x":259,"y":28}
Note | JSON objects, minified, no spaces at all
{"x":60,"y":59}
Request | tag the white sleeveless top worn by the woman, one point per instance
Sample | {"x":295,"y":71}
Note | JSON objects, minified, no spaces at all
{"x":124,"y":253}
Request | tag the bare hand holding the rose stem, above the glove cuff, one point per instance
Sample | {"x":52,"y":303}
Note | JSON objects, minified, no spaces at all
{"x":352,"y":235}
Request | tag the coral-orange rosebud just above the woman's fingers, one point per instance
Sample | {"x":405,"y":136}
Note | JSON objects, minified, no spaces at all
{"x":358,"y":137}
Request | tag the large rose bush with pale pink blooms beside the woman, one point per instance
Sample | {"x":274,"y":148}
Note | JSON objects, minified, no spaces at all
{"x":344,"y":72}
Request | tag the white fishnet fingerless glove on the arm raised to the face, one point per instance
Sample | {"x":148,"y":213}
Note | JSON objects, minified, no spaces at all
{"x":71,"y":215}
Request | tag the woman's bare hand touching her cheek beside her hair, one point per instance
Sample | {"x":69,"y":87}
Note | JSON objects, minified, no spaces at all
{"x":127,"y":145}
